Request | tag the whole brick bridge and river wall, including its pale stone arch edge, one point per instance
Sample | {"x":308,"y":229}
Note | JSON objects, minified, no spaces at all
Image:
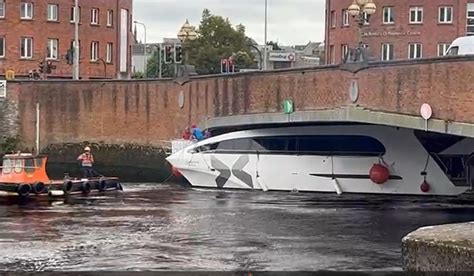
{"x":147,"y":113}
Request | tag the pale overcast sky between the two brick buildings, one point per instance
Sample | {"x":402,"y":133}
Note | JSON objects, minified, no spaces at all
{"x":289,"y":21}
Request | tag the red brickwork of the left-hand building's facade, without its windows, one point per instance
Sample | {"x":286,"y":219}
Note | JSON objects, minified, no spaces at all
{"x":41,"y":30}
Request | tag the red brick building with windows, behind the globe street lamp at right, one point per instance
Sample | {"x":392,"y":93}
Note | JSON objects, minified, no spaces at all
{"x":399,"y":29}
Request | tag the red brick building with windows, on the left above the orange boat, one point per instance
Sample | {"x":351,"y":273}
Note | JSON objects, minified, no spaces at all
{"x":32,"y":31}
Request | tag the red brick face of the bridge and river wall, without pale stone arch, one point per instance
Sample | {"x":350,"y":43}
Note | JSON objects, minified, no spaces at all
{"x":146,"y":112}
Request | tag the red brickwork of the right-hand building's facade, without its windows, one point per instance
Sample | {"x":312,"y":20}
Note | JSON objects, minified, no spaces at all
{"x":431,"y":32}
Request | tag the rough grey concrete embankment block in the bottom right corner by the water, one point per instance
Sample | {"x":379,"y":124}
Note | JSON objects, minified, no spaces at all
{"x":440,"y":248}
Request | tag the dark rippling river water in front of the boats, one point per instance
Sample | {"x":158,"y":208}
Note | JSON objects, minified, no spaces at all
{"x":170,"y":227}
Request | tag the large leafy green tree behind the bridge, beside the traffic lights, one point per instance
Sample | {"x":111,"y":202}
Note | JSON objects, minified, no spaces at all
{"x":217,"y":39}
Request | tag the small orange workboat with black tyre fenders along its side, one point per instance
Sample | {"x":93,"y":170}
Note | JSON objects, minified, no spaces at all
{"x":24,"y":174}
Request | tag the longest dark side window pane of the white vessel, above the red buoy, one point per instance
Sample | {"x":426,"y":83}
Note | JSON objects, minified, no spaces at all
{"x":341,"y":145}
